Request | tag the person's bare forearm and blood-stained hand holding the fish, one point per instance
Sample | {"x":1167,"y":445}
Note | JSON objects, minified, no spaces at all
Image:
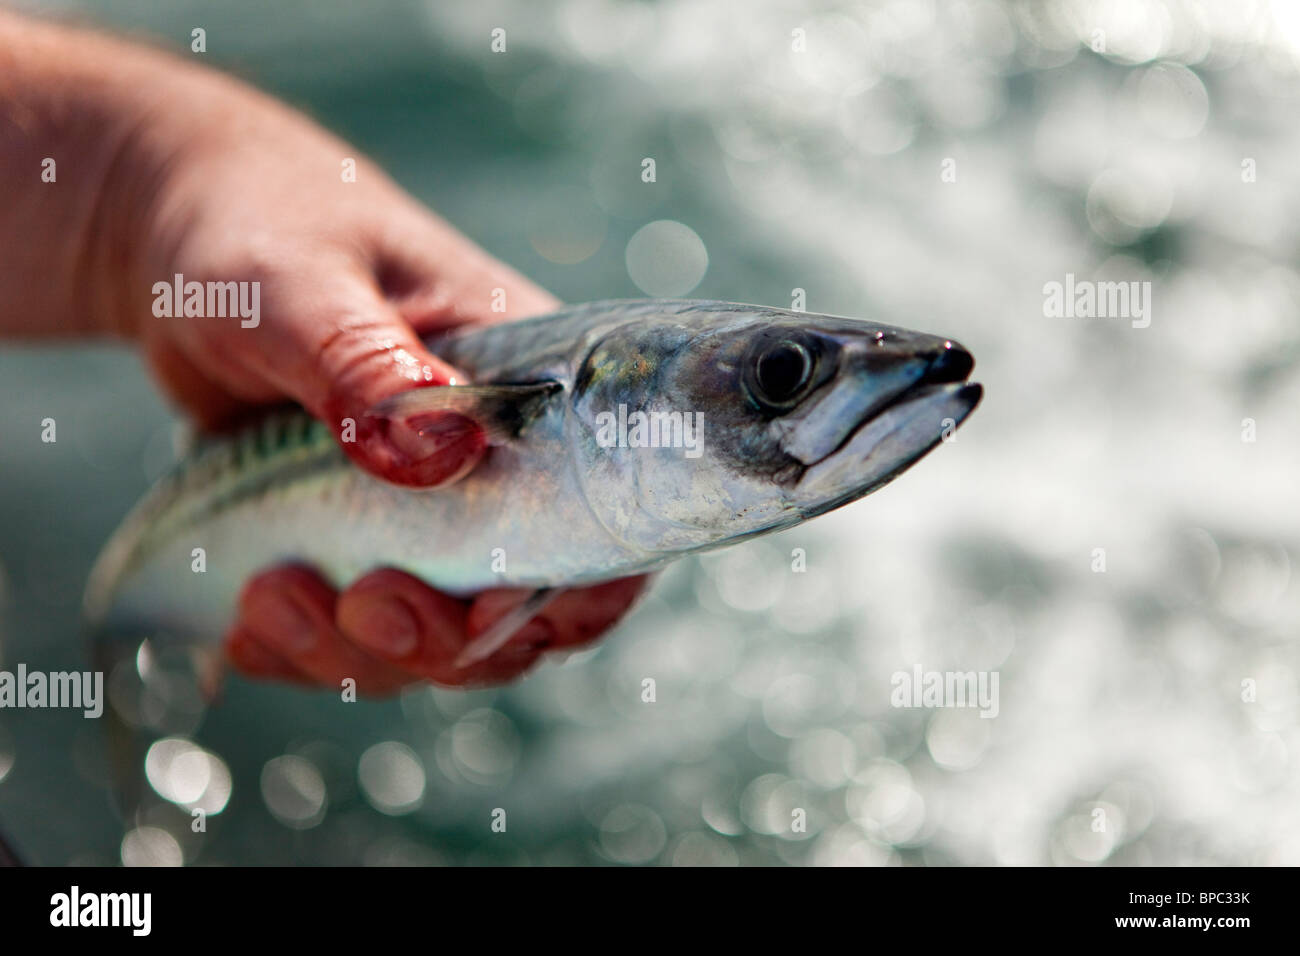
{"x":164,"y":167}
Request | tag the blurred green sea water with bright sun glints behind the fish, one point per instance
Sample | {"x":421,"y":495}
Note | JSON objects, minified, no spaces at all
{"x":822,"y":171}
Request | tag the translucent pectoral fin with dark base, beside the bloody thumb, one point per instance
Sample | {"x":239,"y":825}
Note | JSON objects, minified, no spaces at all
{"x":502,"y":412}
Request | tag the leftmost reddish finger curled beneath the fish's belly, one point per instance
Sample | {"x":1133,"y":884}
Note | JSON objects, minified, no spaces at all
{"x":289,"y":612}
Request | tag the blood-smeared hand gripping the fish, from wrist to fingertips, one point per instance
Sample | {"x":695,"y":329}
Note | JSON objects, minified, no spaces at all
{"x":352,"y":275}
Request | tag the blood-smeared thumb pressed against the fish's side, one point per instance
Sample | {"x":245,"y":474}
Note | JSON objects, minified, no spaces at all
{"x":340,"y":348}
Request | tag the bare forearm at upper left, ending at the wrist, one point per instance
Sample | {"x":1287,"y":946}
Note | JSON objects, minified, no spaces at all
{"x":92,"y":131}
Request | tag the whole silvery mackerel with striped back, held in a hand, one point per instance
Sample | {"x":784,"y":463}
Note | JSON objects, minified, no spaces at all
{"x":623,"y":436}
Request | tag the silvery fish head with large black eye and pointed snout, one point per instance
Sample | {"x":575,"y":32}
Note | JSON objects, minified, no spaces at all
{"x":720,"y":422}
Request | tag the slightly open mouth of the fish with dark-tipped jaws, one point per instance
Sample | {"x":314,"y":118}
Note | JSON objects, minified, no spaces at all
{"x":943,"y":386}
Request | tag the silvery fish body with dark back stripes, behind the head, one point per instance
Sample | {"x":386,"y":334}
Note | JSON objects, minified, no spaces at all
{"x":285,"y":492}
